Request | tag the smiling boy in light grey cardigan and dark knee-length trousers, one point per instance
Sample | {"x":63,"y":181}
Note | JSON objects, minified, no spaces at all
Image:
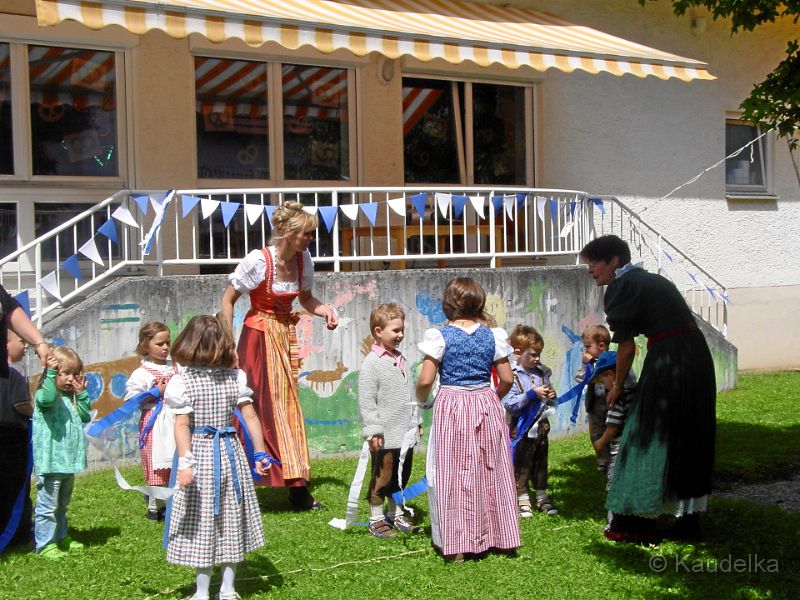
{"x":390,"y":418}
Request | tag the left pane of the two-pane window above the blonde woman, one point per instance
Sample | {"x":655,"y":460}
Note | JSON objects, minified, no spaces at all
{"x":232,"y":123}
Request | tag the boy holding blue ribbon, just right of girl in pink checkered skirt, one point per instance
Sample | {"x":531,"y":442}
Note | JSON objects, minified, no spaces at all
{"x":531,"y":386}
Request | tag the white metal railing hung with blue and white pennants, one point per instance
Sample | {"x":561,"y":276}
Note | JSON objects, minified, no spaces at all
{"x":359,"y":229}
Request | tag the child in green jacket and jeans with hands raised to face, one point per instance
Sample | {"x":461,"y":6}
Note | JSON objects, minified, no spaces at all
{"x":61,"y":407}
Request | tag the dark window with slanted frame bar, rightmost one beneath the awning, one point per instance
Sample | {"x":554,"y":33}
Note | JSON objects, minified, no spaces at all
{"x":466,"y":133}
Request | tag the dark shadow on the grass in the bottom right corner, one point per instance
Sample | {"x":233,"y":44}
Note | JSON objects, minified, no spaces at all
{"x":749,"y":552}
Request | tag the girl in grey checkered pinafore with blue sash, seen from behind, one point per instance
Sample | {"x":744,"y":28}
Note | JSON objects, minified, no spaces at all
{"x":214,"y":518}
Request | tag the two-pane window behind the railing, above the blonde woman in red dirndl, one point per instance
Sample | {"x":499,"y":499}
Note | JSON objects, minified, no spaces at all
{"x":236,"y":115}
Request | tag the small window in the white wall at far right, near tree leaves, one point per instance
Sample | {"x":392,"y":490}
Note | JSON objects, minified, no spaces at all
{"x":747,"y":171}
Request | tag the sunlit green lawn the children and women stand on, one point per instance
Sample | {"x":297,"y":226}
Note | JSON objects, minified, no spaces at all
{"x":750,"y":550}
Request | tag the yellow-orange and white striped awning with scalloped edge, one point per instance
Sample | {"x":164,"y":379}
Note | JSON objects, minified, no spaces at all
{"x":452,"y":30}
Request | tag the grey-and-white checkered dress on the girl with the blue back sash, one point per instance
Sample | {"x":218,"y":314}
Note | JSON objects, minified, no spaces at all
{"x":197,"y":538}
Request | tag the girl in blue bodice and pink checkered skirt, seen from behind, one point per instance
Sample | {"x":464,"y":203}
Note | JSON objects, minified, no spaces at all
{"x":472,"y":499}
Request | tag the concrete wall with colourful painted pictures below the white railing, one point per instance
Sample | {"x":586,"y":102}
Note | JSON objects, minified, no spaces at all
{"x":559,"y":301}
